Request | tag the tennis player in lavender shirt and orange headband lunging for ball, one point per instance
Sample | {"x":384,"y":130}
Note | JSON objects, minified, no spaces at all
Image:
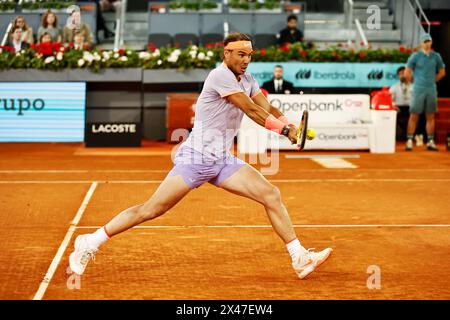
{"x":205,"y":156}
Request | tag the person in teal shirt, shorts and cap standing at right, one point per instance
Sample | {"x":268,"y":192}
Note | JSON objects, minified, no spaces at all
{"x":426,"y":67}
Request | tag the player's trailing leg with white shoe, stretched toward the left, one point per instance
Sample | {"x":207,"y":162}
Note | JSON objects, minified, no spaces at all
{"x":169,"y":193}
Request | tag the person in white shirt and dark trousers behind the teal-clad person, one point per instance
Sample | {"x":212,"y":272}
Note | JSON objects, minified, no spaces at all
{"x":401,"y":98}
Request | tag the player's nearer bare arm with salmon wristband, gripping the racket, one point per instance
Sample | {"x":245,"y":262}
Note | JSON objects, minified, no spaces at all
{"x":259,"y":114}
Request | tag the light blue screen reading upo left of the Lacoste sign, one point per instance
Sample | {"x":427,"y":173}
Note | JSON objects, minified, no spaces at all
{"x":42,"y":111}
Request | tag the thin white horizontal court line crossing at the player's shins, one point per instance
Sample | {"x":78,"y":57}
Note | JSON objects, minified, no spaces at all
{"x":295,"y":226}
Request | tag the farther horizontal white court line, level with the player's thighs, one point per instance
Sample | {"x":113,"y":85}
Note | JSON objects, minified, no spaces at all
{"x":271,"y":180}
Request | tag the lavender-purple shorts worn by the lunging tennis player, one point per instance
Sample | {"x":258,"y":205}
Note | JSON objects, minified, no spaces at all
{"x":195,"y":169}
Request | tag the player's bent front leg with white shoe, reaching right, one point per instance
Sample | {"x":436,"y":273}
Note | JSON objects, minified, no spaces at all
{"x":250,"y":183}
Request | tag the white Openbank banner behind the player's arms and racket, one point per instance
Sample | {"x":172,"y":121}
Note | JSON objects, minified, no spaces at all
{"x":340,"y":121}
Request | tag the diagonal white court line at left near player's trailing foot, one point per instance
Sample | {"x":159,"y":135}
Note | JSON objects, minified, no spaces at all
{"x":62,"y":248}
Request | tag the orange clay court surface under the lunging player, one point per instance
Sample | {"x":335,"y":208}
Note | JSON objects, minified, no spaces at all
{"x":391,"y":211}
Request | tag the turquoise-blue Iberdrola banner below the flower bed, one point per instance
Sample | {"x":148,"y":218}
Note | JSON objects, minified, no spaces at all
{"x":329,"y":75}
